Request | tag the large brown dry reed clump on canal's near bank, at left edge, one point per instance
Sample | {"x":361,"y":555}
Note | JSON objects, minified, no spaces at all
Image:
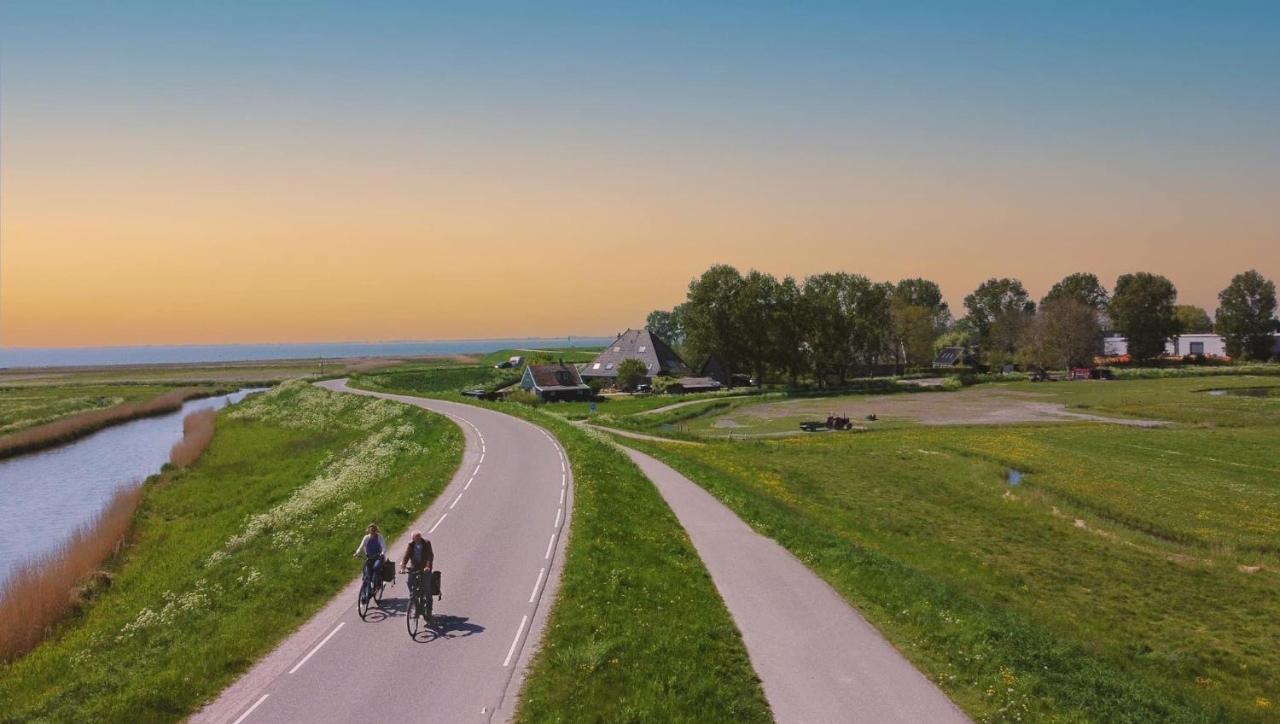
{"x":42,"y":590}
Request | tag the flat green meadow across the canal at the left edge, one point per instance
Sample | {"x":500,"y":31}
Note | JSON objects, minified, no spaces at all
{"x":24,"y":407}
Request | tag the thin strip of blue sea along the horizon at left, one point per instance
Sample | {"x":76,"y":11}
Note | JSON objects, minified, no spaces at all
{"x":196,"y":354}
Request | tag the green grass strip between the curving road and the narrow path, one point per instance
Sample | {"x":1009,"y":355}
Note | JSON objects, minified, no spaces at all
{"x":638,"y":631}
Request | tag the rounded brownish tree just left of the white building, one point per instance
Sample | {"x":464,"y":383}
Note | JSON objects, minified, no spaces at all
{"x":1066,"y":333}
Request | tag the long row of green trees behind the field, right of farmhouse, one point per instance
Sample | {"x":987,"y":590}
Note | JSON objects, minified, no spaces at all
{"x":835,"y":326}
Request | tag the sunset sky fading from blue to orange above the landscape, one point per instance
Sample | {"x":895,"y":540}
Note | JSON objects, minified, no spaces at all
{"x":305,"y":172}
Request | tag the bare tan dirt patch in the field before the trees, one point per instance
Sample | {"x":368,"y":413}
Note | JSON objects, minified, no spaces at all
{"x":972,"y":406}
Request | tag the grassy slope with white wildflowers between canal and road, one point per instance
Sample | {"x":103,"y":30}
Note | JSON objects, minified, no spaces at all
{"x":231,"y":556}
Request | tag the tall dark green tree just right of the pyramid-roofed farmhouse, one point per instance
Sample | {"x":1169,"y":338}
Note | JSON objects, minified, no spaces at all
{"x":712,"y":318}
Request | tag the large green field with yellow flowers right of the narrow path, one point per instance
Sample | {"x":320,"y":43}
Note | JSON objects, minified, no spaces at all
{"x":1132,"y":575}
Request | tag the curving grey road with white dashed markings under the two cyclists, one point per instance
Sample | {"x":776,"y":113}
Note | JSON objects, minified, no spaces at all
{"x":497,"y":533}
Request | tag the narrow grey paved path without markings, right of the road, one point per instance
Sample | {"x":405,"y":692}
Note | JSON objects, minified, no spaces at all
{"x":819,"y":658}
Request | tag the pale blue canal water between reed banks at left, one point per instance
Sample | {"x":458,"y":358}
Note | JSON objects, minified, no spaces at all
{"x":47,"y":496}
